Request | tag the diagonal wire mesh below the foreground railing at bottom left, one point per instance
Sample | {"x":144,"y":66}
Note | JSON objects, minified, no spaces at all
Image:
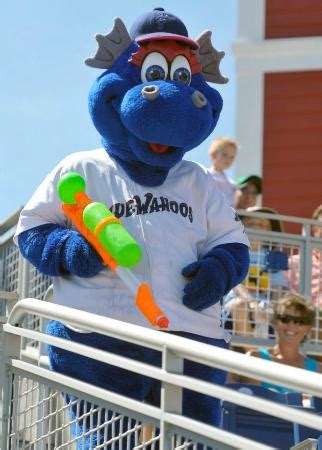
{"x":41,"y":418}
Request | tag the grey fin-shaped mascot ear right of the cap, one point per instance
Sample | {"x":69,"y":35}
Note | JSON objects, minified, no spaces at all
{"x":210,"y":59}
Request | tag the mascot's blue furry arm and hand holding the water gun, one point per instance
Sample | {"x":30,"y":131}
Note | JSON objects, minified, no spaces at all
{"x":55,"y":250}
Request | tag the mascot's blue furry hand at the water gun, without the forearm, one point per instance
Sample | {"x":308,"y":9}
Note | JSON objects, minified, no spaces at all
{"x":79,"y":257}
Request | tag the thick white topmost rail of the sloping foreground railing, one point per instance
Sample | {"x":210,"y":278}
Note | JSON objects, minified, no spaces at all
{"x":298,"y":379}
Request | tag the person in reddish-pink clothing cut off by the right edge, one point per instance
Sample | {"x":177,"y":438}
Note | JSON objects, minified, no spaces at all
{"x":294,"y":265}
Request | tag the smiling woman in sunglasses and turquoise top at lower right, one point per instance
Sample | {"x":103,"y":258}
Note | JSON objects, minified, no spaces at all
{"x":292,"y":320}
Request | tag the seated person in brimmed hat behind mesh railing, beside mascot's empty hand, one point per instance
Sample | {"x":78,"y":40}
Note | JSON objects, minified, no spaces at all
{"x":247,"y":305}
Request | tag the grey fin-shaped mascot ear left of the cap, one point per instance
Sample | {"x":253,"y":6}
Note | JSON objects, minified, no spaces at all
{"x":110,"y":46}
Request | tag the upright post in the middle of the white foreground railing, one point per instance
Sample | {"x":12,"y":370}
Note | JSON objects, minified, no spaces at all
{"x":171,"y":396}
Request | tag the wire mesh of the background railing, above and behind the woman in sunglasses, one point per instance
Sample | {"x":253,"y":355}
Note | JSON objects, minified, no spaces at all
{"x":276,"y":267}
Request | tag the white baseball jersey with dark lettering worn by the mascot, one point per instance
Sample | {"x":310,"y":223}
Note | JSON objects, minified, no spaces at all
{"x":175,"y":224}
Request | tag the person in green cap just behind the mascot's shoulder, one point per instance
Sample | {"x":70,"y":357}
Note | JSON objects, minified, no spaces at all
{"x":248,"y":190}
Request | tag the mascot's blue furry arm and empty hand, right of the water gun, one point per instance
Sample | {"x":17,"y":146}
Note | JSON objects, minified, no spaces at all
{"x":214,"y":275}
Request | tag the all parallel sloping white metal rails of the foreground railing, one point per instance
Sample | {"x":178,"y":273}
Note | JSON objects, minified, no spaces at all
{"x":168,"y":344}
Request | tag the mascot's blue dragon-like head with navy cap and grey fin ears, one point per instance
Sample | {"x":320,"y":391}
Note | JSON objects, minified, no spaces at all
{"x":152,"y":104}
